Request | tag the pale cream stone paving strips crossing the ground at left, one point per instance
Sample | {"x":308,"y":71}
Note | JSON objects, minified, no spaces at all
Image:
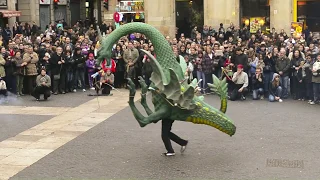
{"x":27,"y":147}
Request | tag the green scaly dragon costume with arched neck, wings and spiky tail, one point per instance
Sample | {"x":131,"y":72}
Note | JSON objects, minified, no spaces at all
{"x":172,"y":97}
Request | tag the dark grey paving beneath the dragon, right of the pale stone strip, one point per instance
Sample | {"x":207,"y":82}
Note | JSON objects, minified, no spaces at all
{"x":273,"y":141}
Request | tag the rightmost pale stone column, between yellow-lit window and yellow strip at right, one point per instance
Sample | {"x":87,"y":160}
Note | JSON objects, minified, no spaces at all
{"x":281,"y":15}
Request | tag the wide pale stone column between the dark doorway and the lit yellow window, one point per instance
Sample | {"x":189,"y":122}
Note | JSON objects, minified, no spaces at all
{"x":221,"y":11}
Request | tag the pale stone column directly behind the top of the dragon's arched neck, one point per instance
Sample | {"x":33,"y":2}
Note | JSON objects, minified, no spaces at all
{"x":161,"y":14}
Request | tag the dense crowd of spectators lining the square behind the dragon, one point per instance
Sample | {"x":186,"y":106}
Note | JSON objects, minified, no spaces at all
{"x":62,"y":59}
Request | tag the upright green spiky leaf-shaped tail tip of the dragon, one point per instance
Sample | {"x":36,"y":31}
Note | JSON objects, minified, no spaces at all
{"x":221,"y":88}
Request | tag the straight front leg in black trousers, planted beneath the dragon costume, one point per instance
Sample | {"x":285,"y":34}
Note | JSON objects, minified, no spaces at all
{"x":165,"y":134}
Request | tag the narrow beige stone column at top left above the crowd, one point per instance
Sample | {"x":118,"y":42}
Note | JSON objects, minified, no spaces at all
{"x":29,"y":11}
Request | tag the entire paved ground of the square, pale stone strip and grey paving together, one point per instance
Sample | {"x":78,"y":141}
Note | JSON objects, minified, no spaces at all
{"x":273,"y":141}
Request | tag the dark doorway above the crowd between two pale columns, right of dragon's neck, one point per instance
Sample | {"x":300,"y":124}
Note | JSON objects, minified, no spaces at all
{"x":188,"y":15}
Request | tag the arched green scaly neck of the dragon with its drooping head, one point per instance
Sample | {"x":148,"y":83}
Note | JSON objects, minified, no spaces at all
{"x":163,"y":51}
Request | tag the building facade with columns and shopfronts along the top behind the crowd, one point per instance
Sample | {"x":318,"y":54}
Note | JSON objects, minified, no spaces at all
{"x":160,"y":13}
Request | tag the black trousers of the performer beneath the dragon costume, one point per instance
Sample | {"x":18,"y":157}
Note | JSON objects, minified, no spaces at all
{"x":167,"y":135}
